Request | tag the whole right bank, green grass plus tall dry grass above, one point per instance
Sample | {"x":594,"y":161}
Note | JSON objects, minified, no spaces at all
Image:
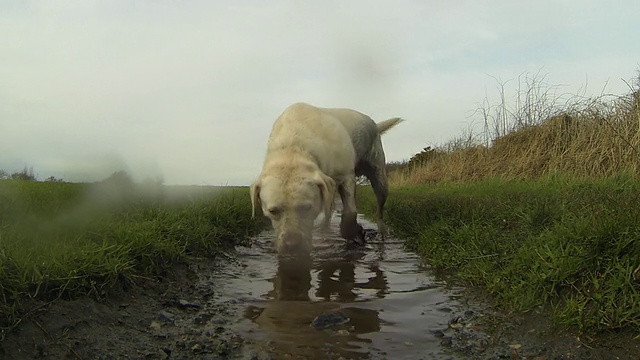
{"x":540,"y":207}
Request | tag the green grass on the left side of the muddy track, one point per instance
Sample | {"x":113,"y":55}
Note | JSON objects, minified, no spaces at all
{"x":62,"y":239}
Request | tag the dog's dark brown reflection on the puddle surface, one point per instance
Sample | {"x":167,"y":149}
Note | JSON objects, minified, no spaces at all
{"x":287,"y":318}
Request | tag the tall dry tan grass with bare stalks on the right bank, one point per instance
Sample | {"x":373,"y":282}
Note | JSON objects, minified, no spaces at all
{"x":539,"y":132}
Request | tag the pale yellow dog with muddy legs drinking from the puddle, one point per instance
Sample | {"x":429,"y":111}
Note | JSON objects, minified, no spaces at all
{"x":312,"y":151}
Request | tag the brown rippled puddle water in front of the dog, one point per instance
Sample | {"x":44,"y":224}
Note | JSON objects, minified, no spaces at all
{"x":395,"y":305}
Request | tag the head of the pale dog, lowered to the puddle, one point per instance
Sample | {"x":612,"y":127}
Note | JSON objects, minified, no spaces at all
{"x":292,"y":199}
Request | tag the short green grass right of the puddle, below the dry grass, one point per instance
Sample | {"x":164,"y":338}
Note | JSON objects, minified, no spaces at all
{"x":569,"y":245}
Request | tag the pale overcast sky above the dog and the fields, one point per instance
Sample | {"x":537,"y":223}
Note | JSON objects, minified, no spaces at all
{"x":188,"y":90}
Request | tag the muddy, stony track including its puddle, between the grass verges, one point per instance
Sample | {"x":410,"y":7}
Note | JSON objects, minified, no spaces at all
{"x":249,"y":305}
